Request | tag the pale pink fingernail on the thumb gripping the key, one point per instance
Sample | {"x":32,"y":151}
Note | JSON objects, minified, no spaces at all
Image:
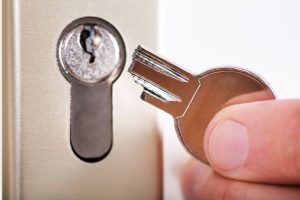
{"x":228,"y":145}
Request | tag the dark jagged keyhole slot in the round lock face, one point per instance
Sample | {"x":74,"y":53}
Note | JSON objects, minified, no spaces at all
{"x":90,"y":39}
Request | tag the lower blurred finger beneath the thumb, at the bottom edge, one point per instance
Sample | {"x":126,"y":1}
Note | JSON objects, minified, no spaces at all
{"x":201,"y":182}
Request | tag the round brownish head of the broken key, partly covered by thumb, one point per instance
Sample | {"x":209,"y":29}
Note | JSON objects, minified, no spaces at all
{"x":220,"y":87}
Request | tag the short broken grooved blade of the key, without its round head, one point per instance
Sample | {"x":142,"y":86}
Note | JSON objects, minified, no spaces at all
{"x":166,"y":86}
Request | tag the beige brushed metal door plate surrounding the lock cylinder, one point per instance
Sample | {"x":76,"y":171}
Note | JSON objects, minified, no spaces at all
{"x":37,"y":156}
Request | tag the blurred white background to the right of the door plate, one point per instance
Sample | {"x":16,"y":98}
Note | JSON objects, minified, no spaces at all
{"x":260,"y":35}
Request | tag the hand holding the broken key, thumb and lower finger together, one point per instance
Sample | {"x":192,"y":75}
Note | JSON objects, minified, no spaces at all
{"x":254,"y":153}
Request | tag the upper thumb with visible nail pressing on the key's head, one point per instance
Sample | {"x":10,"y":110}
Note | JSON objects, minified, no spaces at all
{"x":257,"y":142}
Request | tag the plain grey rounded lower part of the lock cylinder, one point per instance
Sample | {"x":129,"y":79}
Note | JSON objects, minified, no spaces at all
{"x":91,"y":132}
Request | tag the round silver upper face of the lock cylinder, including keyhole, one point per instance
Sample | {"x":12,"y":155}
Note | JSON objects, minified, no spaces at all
{"x":91,"y":50}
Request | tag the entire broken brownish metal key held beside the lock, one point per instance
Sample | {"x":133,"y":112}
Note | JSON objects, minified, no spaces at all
{"x":193,"y":100}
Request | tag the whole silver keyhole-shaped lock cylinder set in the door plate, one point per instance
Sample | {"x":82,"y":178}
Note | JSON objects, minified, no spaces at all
{"x":91,"y":55}
